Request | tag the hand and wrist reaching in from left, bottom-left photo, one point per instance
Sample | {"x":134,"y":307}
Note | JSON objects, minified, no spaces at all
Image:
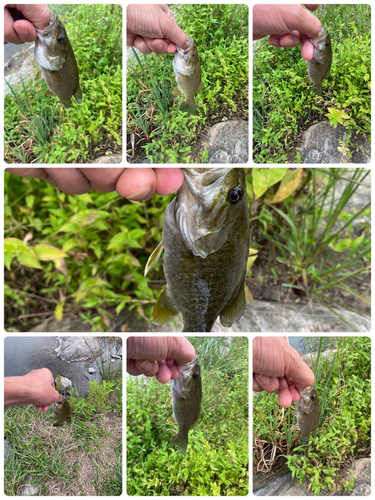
{"x":36,"y":387}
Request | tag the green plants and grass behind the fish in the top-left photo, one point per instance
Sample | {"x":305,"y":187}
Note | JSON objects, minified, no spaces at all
{"x":38,"y":129}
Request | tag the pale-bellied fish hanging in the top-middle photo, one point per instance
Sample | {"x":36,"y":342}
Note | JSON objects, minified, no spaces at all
{"x":187,"y":69}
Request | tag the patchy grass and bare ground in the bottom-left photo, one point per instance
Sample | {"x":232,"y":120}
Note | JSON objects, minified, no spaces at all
{"x":81,"y":459}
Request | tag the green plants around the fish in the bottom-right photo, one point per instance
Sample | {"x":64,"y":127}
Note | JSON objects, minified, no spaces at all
{"x":343,"y":383}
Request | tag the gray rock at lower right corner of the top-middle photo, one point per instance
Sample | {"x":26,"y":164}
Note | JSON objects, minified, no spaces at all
{"x":228,"y":142}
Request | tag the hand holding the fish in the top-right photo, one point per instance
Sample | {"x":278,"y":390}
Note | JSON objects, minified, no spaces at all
{"x":287,"y":25}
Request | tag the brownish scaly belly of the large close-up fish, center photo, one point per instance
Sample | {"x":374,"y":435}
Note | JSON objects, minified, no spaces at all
{"x":201,"y":288}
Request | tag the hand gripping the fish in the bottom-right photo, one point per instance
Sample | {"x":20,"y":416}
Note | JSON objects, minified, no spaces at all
{"x":277,"y":367}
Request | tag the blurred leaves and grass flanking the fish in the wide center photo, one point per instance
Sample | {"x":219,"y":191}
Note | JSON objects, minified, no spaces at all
{"x":84,"y":256}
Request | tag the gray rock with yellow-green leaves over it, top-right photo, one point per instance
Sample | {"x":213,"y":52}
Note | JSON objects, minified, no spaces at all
{"x":320,"y":143}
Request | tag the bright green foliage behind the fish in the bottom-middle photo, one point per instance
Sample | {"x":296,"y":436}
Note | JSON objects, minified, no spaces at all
{"x":217,"y":457}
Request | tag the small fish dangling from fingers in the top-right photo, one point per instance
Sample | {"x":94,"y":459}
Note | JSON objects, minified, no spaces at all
{"x":320,"y":65}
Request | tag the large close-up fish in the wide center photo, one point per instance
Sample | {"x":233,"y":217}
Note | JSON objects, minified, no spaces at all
{"x":206,"y":245}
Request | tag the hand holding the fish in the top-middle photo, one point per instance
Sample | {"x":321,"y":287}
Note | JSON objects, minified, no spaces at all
{"x":152,"y":28}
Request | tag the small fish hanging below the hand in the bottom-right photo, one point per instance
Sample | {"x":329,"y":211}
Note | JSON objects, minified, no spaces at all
{"x":308,"y":412}
